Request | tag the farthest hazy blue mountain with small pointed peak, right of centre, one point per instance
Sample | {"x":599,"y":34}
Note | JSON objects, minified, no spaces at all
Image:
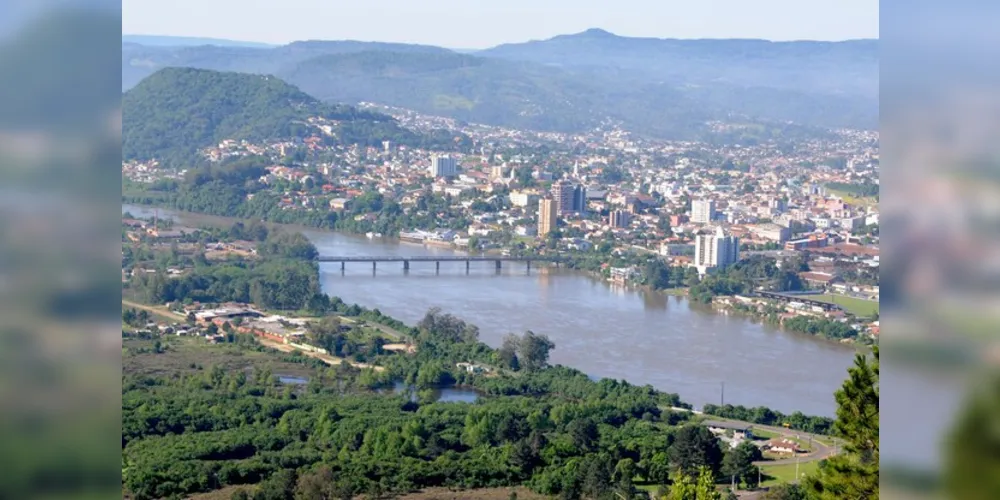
{"x":849,"y":67}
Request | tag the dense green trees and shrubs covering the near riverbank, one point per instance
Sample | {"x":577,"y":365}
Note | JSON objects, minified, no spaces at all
{"x":550,"y":428}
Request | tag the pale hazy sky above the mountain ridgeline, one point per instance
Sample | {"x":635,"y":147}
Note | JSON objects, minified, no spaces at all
{"x":482,"y":23}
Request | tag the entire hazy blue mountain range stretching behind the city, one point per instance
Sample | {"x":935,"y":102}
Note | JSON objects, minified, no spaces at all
{"x":658,"y":87}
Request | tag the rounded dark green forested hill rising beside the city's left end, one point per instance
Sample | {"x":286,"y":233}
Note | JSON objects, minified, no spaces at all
{"x":177,"y":111}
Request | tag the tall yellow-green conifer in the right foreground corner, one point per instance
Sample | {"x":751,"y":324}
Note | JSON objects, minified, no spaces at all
{"x":854,"y":473}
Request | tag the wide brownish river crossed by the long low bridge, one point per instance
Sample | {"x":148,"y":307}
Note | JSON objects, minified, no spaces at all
{"x":601,"y":329}
